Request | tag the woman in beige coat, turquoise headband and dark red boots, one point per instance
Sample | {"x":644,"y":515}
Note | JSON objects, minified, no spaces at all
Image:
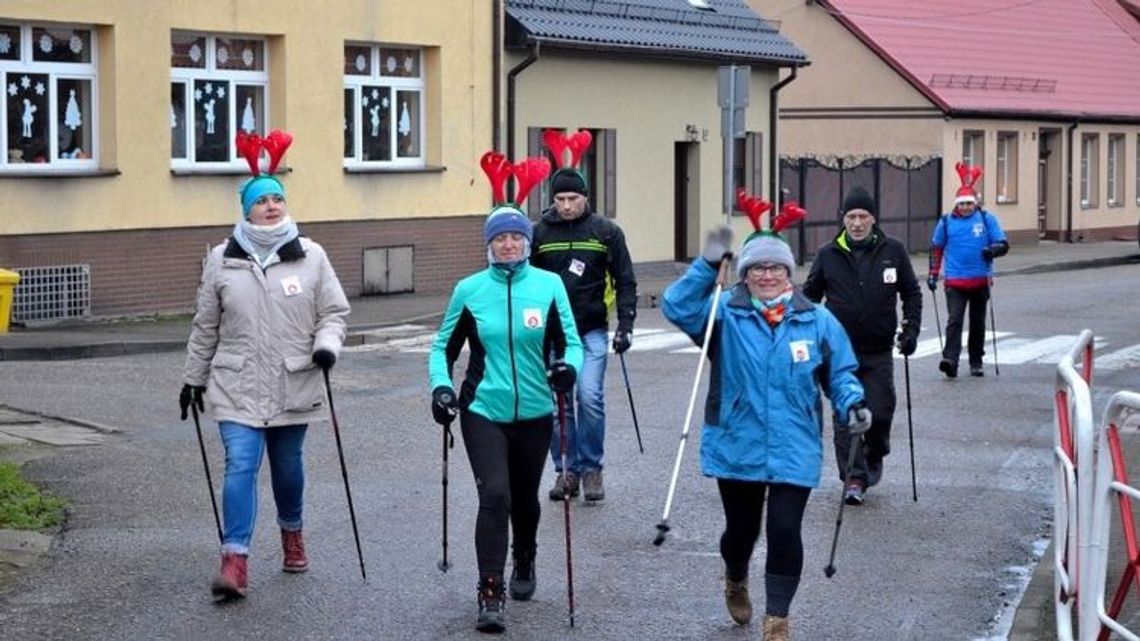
{"x":271,"y":317}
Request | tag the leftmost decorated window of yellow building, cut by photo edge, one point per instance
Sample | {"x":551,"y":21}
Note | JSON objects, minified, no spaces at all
{"x":51,"y":88}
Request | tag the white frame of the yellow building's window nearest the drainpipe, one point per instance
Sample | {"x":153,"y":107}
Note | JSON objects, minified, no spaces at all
{"x":396,"y":84}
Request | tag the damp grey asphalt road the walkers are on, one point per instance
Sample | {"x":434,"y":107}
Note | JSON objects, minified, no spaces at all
{"x":139,"y":553}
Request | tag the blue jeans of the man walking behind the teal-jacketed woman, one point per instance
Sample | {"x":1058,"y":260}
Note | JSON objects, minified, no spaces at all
{"x":587,"y":428}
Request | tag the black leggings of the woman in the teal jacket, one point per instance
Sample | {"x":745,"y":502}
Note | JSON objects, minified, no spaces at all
{"x":508,"y":461}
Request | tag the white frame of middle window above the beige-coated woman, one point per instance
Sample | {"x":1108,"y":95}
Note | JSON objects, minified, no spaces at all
{"x":210,"y":72}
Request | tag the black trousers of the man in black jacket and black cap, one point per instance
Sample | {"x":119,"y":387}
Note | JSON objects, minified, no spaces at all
{"x":877,"y":374}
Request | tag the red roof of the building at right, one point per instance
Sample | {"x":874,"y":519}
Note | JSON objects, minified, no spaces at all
{"x":1069,"y":58}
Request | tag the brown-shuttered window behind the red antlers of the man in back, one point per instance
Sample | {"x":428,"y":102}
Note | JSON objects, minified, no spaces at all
{"x":599,"y":166}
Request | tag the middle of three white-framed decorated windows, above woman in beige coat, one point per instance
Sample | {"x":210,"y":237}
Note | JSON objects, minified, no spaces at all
{"x":219,"y":85}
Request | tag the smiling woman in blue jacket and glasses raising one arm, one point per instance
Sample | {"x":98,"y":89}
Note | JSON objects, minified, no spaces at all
{"x":762,"y":439}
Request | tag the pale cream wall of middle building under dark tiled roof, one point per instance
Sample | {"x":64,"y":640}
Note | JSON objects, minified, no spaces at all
{"x":649,"y":103}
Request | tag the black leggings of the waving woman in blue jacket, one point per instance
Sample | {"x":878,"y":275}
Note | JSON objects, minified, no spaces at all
{"x":744,"y":508}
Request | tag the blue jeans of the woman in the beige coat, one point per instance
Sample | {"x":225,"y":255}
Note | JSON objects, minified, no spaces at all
{"x":245,"y":448}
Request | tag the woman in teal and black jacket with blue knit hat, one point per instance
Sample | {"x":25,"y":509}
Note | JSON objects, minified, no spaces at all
{"x":512,"y":317}
